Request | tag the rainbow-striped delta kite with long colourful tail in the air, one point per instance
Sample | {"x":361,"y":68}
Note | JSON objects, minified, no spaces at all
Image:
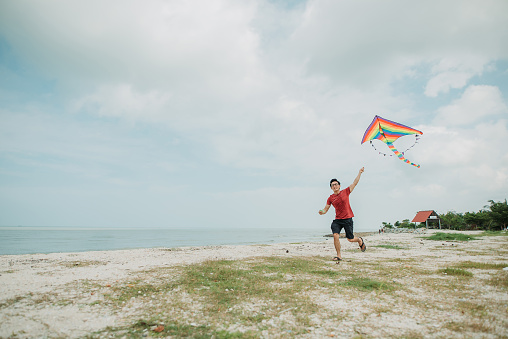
{"x":388,"y":131}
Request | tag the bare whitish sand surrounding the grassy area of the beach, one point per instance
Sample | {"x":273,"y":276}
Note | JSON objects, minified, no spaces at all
{"x":27,"y":281}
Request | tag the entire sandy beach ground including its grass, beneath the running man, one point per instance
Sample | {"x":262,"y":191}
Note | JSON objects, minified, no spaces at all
{"x":402,"y":286}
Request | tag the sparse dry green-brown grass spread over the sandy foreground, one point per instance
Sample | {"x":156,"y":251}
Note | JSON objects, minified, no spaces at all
{"x":276,"y":296}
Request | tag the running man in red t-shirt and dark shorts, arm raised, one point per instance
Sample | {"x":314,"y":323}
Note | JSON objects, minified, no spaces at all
{"x":343,"y":214}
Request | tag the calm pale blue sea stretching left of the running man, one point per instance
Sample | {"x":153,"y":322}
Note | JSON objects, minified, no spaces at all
{"x":32,"y":240}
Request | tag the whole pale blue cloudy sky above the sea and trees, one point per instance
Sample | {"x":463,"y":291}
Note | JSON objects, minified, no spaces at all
{"x":237,"y":114}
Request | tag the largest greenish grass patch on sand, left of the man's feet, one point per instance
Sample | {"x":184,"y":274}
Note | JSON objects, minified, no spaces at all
{"x":223,"y":284}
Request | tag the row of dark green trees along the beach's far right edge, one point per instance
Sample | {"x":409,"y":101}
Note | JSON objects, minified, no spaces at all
{"x":493,"y":217}
